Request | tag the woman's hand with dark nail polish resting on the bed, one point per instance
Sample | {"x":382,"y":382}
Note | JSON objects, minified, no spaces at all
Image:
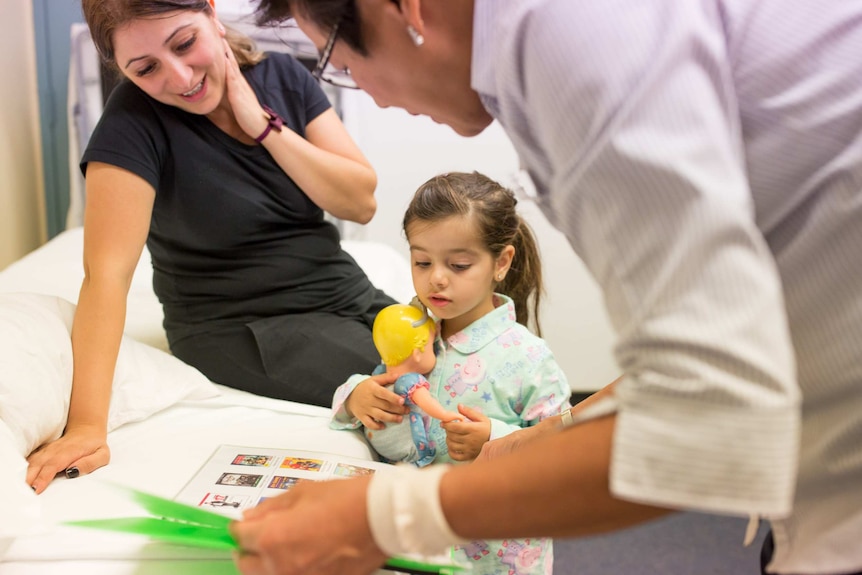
{"x":83,"y":448}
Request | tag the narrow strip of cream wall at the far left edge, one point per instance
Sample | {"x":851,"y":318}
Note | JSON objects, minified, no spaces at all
{"x":22,"y":226}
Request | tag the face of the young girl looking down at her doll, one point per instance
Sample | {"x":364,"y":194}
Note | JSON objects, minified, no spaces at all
{"x":453,"y":272}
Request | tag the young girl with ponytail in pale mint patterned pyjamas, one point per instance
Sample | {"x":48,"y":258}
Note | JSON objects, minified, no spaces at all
{"x":469,"y":247}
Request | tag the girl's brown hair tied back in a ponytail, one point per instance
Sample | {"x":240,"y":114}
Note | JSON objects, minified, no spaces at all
{"x":493,"y":209}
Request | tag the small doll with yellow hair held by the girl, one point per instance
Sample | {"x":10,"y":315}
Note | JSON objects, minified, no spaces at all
{"x":404,"y":337}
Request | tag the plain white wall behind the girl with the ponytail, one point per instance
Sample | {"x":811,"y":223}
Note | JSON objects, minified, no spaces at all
{"x":407,"y":150}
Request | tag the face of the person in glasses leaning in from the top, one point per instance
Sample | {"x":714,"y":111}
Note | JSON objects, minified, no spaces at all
{"x":431,"y":80}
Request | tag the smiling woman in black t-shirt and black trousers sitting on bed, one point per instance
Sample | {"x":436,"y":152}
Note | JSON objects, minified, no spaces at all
{"x":223,"y":161}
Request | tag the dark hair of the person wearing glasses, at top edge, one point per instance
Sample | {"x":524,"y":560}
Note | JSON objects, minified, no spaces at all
{"x":325,"y":14}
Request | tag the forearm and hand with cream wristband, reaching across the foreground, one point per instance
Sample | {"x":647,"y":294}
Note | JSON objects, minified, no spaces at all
{"x":558,"y":487}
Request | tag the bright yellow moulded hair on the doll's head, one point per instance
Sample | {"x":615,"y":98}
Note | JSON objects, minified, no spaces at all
{"x":398,"y":330}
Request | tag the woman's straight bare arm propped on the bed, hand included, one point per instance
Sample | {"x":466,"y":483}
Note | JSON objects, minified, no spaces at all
{"x":116,"y":222}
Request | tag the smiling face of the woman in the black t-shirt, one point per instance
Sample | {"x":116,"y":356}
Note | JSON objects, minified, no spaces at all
{"x":177,"y":59}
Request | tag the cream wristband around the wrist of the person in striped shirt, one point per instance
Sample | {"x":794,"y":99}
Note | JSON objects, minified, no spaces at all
{"x":404,"y":511}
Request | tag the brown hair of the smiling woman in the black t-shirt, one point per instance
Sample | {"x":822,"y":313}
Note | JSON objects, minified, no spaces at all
{"x":104,"y":17}
